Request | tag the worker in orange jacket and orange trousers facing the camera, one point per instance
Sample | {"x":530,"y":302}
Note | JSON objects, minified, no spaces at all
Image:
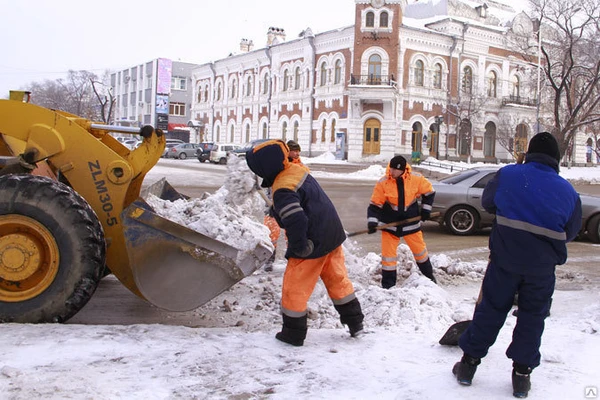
{"x":394,"y":199}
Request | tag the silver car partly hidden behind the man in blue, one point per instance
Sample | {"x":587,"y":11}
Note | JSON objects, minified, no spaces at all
{"x":458,"y":199}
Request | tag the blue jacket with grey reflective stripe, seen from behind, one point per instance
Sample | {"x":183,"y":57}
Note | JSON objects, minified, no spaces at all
{"x":537,"y":213}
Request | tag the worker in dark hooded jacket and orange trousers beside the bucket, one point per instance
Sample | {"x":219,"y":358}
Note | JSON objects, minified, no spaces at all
{"x":315,"y":236}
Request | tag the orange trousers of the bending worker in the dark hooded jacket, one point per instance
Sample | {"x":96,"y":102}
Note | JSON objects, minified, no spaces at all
{"x":301,"y":276}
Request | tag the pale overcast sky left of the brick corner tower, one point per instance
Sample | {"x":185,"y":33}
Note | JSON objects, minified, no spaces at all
{"x":44,"y":39}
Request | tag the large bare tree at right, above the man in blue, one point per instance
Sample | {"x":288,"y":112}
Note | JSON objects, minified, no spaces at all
{"x":570,"y":60}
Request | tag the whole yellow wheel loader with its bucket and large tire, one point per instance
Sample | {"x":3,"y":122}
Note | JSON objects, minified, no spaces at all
{"x":70,"y":207}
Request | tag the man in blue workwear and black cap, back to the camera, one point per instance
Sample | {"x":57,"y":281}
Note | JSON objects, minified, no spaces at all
{"x":537,"y":213}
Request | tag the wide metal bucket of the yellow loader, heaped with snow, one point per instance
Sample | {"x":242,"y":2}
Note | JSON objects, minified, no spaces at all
{"x":177,"y":268}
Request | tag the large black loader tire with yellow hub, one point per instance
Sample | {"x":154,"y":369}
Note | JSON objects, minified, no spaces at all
{"x":52,"y":250}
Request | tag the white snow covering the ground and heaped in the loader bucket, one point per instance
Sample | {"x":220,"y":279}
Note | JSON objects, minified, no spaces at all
{"x":239,"y":358}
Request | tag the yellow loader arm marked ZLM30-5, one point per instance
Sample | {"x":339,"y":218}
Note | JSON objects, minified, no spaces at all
{"x":103,"y":171}
